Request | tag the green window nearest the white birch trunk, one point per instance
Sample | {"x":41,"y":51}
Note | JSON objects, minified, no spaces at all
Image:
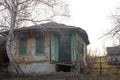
{"x":22,"y":47}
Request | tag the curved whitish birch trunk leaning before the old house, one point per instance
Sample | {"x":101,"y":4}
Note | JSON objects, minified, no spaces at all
{"x":9,"y":45}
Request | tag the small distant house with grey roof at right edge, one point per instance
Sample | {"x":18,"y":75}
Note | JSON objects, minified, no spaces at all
{"x":113,"y":54}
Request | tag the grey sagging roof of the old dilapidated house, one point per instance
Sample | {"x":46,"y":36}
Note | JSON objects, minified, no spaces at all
{"x":52,"y":27}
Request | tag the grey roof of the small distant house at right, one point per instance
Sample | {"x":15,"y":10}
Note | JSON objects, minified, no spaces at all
{"x":113,"y":50}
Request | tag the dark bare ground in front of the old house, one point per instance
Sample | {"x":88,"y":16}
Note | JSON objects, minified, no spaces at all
{"x":53,"y":76}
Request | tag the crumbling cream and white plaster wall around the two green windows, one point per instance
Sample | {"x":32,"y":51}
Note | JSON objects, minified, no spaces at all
{"x":32,"y":63}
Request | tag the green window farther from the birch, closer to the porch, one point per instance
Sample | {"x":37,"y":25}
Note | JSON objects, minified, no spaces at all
{"x":40,"y":47}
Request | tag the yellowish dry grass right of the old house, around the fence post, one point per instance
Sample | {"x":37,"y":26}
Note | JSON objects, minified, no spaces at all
{"x":109,"y":72}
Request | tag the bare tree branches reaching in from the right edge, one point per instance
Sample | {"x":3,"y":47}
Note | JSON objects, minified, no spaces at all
{"x":114,"y":33}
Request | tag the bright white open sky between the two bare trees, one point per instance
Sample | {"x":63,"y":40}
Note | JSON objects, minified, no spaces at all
{"x":92,"y":16}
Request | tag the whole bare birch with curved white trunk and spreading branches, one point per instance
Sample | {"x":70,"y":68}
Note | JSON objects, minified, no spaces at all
{"x":18,"y":13}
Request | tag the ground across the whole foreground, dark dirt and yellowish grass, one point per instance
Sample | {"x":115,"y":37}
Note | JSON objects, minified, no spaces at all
{"x":90,"y":74}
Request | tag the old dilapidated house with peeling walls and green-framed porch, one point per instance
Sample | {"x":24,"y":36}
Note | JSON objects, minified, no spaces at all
{"x":50,"y":47}
